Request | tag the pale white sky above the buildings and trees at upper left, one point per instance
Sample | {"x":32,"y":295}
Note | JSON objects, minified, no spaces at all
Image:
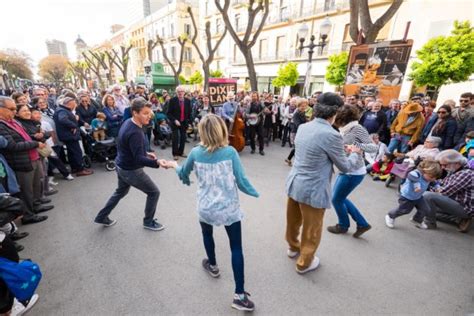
{"x":27,"y":24}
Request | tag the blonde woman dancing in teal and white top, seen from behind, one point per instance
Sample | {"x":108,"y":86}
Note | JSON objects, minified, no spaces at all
{"x":220,"y":174}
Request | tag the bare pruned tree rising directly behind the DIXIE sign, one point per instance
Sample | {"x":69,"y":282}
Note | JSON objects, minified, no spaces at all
{"x":206,"y":62}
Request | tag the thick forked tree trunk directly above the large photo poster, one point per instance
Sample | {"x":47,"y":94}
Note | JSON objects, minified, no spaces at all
{"x":359,"y":10}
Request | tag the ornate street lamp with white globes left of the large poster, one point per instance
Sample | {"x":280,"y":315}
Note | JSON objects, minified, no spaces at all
{"x":324,"y":30}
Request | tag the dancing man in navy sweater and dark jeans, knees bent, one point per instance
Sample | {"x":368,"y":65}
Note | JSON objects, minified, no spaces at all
{"x":131,"y":158}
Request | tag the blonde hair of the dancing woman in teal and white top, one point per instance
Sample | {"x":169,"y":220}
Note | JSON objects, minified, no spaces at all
{"x":213,"y":132}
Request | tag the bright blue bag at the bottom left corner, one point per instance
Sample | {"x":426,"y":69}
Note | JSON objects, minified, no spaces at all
{"x":22,"y":278}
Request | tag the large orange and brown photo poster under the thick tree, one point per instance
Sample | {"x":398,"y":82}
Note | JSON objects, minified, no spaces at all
{"x":377,"y":69}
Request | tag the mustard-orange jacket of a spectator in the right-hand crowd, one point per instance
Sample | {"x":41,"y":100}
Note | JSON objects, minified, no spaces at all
{"x":415,"y":127}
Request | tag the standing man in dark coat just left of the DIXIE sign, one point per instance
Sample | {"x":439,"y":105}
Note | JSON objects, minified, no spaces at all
{"x":179,"y":114}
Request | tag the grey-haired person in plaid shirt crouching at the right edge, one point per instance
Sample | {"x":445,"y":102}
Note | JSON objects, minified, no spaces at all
{"x":455,"y":196}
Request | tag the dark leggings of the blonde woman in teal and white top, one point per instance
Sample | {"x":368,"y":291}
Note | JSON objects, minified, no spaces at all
{"x":234,"y":232}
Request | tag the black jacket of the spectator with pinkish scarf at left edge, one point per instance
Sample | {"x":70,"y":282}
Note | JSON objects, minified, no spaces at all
{"x":16,"y":151}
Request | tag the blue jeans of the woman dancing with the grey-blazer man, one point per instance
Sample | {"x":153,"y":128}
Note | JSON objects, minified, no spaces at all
{"x":344,"y":185}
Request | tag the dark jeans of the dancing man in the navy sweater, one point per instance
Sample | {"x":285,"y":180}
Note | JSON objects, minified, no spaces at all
{"x":140,"y":180}
